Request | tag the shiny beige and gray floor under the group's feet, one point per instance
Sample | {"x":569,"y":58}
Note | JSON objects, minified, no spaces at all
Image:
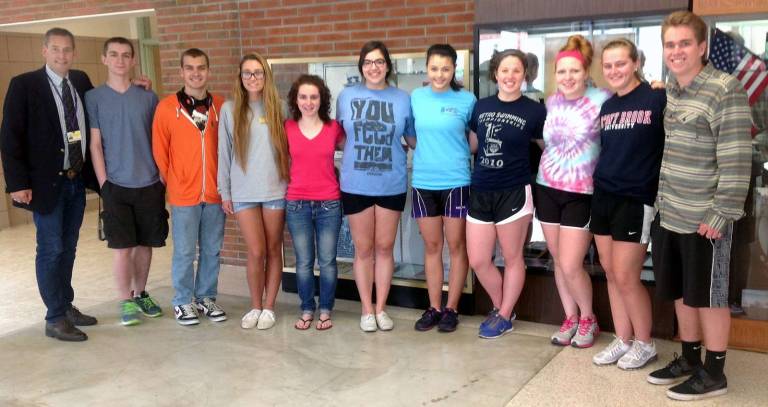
{"x":160,"y":363}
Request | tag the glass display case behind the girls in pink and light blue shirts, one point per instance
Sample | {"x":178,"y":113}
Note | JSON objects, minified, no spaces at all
{"x":341,"y":72}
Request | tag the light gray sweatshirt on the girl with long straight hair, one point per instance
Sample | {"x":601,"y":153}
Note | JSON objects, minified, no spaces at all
{"x":260,"y":182}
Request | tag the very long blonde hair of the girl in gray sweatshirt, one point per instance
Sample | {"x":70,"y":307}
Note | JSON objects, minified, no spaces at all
{"x":273,"y":111}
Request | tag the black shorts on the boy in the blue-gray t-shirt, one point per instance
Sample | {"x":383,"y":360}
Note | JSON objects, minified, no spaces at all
{"x":134,"y":216}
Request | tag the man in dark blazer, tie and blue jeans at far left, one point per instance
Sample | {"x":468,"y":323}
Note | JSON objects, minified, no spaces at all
{"x":47,"y":168}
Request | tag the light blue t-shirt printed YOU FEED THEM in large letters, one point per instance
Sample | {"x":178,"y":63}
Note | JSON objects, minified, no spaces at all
{"x":374,"y":121}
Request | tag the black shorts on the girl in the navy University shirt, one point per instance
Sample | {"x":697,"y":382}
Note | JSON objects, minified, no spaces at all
{"x":623,"y":218}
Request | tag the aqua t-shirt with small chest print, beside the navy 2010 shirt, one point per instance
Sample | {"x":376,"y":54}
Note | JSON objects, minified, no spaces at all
{"x":441,"y":159}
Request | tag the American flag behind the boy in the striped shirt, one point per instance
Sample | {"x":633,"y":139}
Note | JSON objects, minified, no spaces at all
{"x":731,"y":57}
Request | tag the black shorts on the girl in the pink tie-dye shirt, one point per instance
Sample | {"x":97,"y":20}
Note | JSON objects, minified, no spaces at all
{"x":564,"y":208}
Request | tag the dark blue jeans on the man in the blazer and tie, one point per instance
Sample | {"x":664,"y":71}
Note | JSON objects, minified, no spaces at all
{"x":57,"y":234}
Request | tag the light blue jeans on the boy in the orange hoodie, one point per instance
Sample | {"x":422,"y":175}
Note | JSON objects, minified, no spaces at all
{"x":199,"y":225}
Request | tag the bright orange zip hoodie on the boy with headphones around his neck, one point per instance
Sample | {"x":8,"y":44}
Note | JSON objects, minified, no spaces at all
{"x":186,"y":157}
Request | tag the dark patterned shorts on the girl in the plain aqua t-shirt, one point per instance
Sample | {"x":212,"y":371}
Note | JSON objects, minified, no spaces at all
{"x":450,"y":203}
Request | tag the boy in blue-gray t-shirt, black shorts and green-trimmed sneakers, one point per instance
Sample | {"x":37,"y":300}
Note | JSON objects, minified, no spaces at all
{"x":135,"y":219}
